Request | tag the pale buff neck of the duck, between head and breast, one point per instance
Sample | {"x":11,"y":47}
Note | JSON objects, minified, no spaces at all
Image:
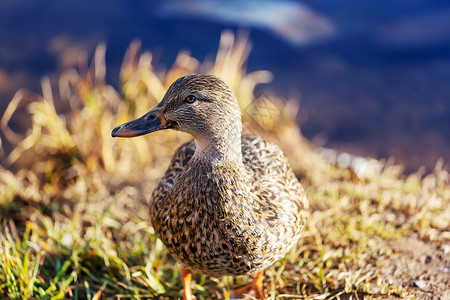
{"x":224,"y":147}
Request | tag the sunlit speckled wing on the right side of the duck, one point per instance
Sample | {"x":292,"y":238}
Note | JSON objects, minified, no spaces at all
{"x":281,"y":202}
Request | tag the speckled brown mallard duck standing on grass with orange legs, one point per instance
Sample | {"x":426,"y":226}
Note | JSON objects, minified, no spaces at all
{"x":229,"y":203}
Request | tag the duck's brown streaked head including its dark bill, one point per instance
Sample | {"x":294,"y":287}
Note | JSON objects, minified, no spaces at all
{"x":201,"y":105}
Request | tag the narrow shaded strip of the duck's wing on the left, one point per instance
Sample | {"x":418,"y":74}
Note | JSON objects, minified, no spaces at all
{"x":179,"y":161}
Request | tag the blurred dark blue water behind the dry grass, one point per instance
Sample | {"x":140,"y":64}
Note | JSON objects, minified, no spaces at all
{"x":372,"y":77}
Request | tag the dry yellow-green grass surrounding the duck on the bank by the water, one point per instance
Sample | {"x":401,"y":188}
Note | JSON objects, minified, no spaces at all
{"x":73,"y":200}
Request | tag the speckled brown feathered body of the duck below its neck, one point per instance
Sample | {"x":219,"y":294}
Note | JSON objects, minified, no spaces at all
{"x":223,"y":218}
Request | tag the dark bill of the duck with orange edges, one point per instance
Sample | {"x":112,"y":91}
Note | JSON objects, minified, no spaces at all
{"x":152,"y":121}
